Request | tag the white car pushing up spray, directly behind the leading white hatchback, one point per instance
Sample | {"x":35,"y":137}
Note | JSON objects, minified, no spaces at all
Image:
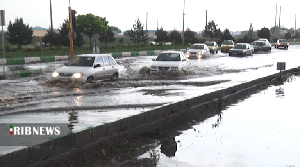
{"x":169,"y":61}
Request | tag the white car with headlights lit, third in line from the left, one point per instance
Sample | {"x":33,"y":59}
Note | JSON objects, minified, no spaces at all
{"x":198,"y":51}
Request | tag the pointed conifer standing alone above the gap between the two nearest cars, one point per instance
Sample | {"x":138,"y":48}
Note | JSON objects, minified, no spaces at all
{"x":138,"y":34}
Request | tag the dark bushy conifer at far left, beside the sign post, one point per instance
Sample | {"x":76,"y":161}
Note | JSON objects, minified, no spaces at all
{"x":18,"y":33}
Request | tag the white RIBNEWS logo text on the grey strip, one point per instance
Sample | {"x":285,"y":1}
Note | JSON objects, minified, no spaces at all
{"x":39,"y":130}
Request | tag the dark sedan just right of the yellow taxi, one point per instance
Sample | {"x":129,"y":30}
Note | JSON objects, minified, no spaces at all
{"x":241,"y":49}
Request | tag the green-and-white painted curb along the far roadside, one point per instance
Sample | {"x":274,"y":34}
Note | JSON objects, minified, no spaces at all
{"x":27,"y":60}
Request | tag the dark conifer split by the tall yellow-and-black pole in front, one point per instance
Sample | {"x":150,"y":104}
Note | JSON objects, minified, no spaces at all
{"x":64,"y":32}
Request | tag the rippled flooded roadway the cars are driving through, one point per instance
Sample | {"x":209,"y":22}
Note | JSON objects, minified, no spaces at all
{"x":36,"y":100}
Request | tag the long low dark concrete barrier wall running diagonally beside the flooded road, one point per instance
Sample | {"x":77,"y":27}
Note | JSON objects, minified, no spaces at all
{"x":164,"y":116}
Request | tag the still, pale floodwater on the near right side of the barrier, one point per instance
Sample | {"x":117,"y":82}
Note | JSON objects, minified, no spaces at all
{"x":262,"y":130}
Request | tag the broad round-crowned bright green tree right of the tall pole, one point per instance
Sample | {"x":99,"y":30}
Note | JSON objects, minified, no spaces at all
{"x":90,"y":24}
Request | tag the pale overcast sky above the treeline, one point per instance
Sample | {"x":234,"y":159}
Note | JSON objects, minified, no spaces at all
{"x":236,"y":15}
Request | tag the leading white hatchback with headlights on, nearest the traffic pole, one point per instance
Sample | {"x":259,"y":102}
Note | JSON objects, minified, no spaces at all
{"x":88,"y":67}
